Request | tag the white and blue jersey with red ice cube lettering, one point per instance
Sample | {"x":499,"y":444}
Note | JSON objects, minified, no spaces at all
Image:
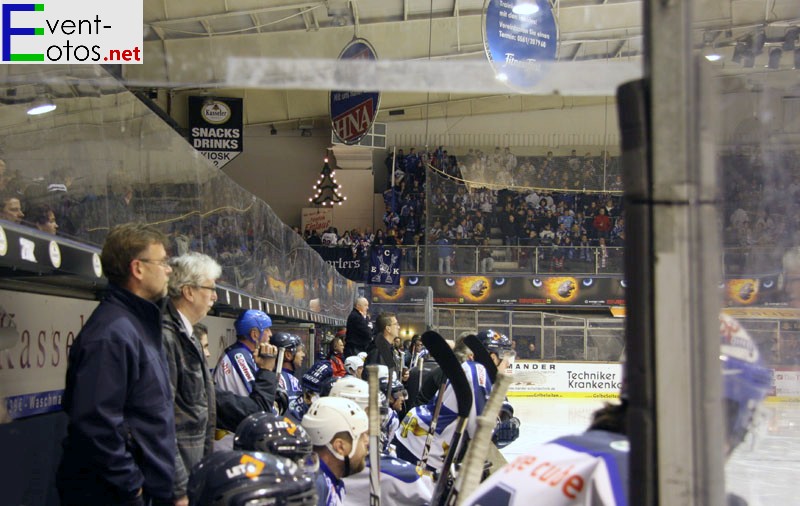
{"x":590,"y":469}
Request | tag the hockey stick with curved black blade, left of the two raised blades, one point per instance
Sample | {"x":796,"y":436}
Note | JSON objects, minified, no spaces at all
{"x":451,"y":367}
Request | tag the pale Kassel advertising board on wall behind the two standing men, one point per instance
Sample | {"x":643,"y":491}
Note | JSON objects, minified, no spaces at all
{"x":32,"y":370}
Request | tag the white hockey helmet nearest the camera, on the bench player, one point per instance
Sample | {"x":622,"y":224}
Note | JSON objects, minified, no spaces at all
{"x":329,"y":416}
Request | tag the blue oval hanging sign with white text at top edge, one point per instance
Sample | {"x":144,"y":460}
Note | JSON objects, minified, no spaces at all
{"x":514,"y":41}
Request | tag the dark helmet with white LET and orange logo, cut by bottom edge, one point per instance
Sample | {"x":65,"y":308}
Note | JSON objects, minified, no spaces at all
{"x":236,"y":478}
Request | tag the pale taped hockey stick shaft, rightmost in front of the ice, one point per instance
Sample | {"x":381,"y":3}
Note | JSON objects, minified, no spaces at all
{"x":470,"y":476}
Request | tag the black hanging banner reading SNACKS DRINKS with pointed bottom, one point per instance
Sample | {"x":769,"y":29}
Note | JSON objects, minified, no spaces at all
{"x":215,"y":128}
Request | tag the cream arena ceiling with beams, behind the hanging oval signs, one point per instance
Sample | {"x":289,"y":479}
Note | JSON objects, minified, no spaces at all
{"x":278,"y":54}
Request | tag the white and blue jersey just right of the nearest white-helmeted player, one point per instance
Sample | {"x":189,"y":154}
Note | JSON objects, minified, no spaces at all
{"x":401,"y":484}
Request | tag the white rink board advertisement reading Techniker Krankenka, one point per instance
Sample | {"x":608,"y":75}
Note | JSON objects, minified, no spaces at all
{"x":565,"y":379}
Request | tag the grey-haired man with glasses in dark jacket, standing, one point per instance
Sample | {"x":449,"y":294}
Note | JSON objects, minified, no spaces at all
{"x":192,"y":292}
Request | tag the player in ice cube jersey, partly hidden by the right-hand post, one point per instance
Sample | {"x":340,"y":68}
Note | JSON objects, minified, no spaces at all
{"x":592,"y":468}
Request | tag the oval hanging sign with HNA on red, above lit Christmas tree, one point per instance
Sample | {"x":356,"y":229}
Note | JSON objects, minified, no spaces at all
{"x":353,"y":112}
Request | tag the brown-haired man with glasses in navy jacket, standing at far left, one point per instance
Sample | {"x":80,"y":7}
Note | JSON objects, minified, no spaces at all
{"x":120,"y":445}
